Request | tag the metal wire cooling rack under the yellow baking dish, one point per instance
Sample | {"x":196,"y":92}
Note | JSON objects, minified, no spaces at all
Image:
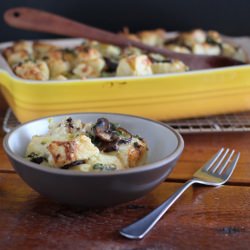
{"x":238,"y":122}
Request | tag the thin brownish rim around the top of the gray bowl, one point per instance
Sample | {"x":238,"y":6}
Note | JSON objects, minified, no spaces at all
{"x":146,"y":167}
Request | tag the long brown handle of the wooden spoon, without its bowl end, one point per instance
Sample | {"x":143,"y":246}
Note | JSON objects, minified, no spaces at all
{"x":37,"y":20}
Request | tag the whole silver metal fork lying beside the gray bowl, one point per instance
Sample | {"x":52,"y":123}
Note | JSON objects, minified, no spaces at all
{"x":215,"y":172}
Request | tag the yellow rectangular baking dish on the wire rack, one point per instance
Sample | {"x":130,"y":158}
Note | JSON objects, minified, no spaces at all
{"x":160,"y":97}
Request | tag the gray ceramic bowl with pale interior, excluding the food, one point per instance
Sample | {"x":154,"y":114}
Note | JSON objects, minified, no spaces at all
{"x":97,"y":189}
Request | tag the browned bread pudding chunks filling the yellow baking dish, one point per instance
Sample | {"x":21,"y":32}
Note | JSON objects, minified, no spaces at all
{"x":91,"y":59}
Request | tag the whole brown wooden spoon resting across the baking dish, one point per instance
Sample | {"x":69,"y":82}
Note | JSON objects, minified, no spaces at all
{"x":36,"y":20}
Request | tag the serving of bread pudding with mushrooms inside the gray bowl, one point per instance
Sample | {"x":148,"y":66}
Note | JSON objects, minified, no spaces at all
{"x":99,"y":146}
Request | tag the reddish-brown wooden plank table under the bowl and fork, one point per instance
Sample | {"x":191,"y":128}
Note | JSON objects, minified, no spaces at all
{"x":203,"y":218}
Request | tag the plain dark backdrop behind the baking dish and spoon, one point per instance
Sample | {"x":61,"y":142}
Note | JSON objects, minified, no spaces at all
{"x":228,"y":17}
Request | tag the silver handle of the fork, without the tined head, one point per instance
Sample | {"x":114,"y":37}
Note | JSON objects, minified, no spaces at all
{"x":141,"y":227}
